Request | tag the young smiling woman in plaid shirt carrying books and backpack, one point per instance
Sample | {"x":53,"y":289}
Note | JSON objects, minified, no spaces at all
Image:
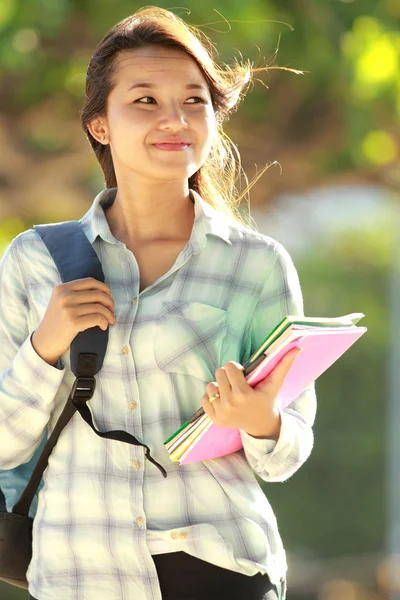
{"x":190,"y":294}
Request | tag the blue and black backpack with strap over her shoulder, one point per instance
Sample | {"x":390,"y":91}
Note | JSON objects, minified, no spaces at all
{"x":75,"y":258}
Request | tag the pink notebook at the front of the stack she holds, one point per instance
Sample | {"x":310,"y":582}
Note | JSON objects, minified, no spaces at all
{"x":320,"y":350}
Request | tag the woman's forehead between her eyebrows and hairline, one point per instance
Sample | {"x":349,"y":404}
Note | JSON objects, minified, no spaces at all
{"x":157,"y":64}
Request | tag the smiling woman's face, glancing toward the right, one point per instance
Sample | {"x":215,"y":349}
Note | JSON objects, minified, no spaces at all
{"x":160,"y":94}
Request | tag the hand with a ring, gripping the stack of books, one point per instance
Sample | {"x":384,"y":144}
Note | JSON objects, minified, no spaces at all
{"x":240,"y":406}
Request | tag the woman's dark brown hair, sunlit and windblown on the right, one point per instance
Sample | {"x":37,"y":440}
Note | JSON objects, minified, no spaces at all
{"x":216,"y":179}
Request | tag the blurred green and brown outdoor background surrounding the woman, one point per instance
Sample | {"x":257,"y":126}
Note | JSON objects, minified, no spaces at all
{"x":331,"y":197}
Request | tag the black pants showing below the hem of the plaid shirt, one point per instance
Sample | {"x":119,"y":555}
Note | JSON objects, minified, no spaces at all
{"x":183,"y":577}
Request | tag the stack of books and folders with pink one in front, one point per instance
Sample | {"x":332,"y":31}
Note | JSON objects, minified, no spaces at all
{"x":323,"y":341}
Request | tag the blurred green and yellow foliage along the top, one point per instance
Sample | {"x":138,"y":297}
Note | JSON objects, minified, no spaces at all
{"x":350,"y":51}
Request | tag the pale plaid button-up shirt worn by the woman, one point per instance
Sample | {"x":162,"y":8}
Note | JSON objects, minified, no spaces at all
{"x":104,"y":510}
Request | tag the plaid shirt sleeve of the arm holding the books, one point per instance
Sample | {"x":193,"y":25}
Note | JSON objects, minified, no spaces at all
{"x":281,"y":296}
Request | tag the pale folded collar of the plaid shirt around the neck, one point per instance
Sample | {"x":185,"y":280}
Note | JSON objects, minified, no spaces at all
{"x":207,"y":221}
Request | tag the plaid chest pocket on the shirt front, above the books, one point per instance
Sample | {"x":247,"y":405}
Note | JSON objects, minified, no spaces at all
{"x":189,"y":339}
